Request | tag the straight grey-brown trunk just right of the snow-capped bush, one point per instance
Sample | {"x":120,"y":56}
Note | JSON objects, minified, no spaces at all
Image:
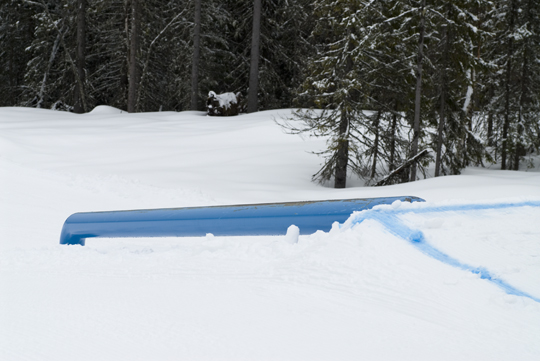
{"x":254,"y":67}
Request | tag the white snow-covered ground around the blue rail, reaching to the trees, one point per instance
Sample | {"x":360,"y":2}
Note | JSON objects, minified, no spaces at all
{"x":362,"y":291}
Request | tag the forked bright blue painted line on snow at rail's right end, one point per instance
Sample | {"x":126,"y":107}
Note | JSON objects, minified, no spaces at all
{"x":390,"y":220}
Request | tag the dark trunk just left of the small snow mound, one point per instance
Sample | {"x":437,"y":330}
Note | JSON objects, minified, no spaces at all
{"x":79,"y":106}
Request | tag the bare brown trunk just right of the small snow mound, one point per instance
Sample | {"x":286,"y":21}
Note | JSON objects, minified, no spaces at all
{"x":133,"y":56}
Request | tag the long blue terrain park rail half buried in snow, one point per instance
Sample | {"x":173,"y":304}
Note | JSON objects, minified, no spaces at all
{"x":239,"y":220}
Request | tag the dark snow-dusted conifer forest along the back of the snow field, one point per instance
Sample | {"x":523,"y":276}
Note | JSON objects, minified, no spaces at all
{"x":396,"y":86}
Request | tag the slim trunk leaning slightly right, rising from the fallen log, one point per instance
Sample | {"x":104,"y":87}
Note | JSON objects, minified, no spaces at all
{"x":416,"y":129}
